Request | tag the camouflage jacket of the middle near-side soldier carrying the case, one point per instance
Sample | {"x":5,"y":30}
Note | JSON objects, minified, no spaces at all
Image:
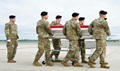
{"x":72,"y":30}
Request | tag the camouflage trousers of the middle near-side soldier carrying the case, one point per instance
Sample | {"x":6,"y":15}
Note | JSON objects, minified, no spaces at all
{"x":73,"y":53}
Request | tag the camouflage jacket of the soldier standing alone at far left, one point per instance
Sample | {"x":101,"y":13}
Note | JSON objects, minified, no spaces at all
{"x":11,"y":30}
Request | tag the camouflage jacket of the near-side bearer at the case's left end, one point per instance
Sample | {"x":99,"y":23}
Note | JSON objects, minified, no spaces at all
{"x":43,"y":29}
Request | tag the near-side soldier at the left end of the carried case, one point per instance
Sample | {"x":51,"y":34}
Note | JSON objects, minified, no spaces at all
{"x":43,"y":30}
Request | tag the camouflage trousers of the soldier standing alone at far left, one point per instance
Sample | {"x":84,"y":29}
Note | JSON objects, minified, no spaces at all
{"x":11,"y":48}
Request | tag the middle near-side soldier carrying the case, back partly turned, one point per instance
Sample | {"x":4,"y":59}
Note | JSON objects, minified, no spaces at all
{"x":72,"y":32}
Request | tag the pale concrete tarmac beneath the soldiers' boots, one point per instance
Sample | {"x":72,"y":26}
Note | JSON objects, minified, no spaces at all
{"x":27,"y":50}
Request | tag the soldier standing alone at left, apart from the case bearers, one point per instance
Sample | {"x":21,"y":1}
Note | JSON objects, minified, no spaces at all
{"x":11,"y":33}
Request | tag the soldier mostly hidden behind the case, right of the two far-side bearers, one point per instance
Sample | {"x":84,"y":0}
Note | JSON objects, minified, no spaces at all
{"x":81,"y":42}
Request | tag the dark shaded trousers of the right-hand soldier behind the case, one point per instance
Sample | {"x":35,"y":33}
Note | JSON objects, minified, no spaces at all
{"x":81,"y":43}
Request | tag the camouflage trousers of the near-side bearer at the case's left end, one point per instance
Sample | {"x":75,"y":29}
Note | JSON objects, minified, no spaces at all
{"x":43,"y":46}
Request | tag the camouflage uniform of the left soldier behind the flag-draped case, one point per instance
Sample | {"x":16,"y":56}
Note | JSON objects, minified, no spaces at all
{"x":56,"y":42}
